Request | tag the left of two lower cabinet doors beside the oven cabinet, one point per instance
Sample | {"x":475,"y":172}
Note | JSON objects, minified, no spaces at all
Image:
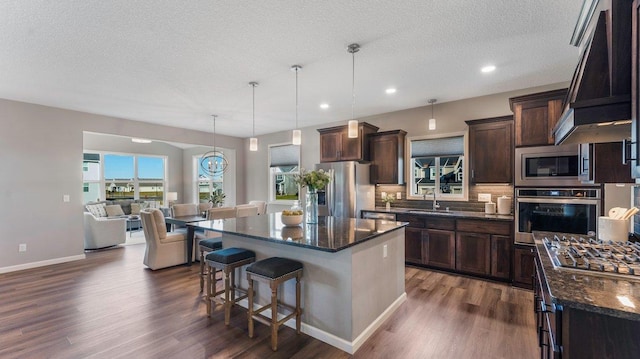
{"x":473,"y":252}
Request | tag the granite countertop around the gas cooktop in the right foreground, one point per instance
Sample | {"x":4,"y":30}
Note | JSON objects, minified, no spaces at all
{"x":590,"y":291}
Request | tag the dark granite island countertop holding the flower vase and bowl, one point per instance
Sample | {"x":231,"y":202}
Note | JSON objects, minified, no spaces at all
{"x":330,"y":234}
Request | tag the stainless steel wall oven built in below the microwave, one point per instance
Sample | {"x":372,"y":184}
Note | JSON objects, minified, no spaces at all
{"x":566,"y":210}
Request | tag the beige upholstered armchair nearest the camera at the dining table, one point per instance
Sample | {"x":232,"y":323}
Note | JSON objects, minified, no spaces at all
{"x":163,"y":249}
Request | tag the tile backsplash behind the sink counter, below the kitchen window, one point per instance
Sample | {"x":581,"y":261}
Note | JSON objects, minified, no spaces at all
{"x":471,"y":205}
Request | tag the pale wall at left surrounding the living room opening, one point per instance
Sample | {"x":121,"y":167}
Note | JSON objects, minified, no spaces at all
{"x":41,"y":160}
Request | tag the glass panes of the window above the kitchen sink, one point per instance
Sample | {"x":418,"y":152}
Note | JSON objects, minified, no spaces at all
{"x":437,"y":166}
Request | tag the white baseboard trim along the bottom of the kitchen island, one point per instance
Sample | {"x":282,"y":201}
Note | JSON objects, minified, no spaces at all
{"x":342,"y":344}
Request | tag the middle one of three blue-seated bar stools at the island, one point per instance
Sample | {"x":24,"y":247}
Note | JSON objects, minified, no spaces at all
{"x":226,"y":260}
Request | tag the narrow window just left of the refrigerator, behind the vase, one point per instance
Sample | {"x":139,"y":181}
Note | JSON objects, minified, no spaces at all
{"x":283,"y":166}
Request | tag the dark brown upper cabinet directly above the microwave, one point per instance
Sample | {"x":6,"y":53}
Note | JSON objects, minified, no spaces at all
{"x":535,"y":117}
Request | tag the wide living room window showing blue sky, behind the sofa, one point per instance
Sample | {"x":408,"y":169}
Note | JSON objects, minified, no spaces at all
{"x":123,"y":176}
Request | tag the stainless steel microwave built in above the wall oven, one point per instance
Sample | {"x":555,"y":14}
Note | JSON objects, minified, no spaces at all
{"x":547,"y":166}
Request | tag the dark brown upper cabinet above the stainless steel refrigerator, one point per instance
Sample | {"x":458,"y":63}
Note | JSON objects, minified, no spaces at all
{"x":335,"y":144}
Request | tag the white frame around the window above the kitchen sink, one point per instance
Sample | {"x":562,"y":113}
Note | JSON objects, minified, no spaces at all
{"x":409,"y":173}
